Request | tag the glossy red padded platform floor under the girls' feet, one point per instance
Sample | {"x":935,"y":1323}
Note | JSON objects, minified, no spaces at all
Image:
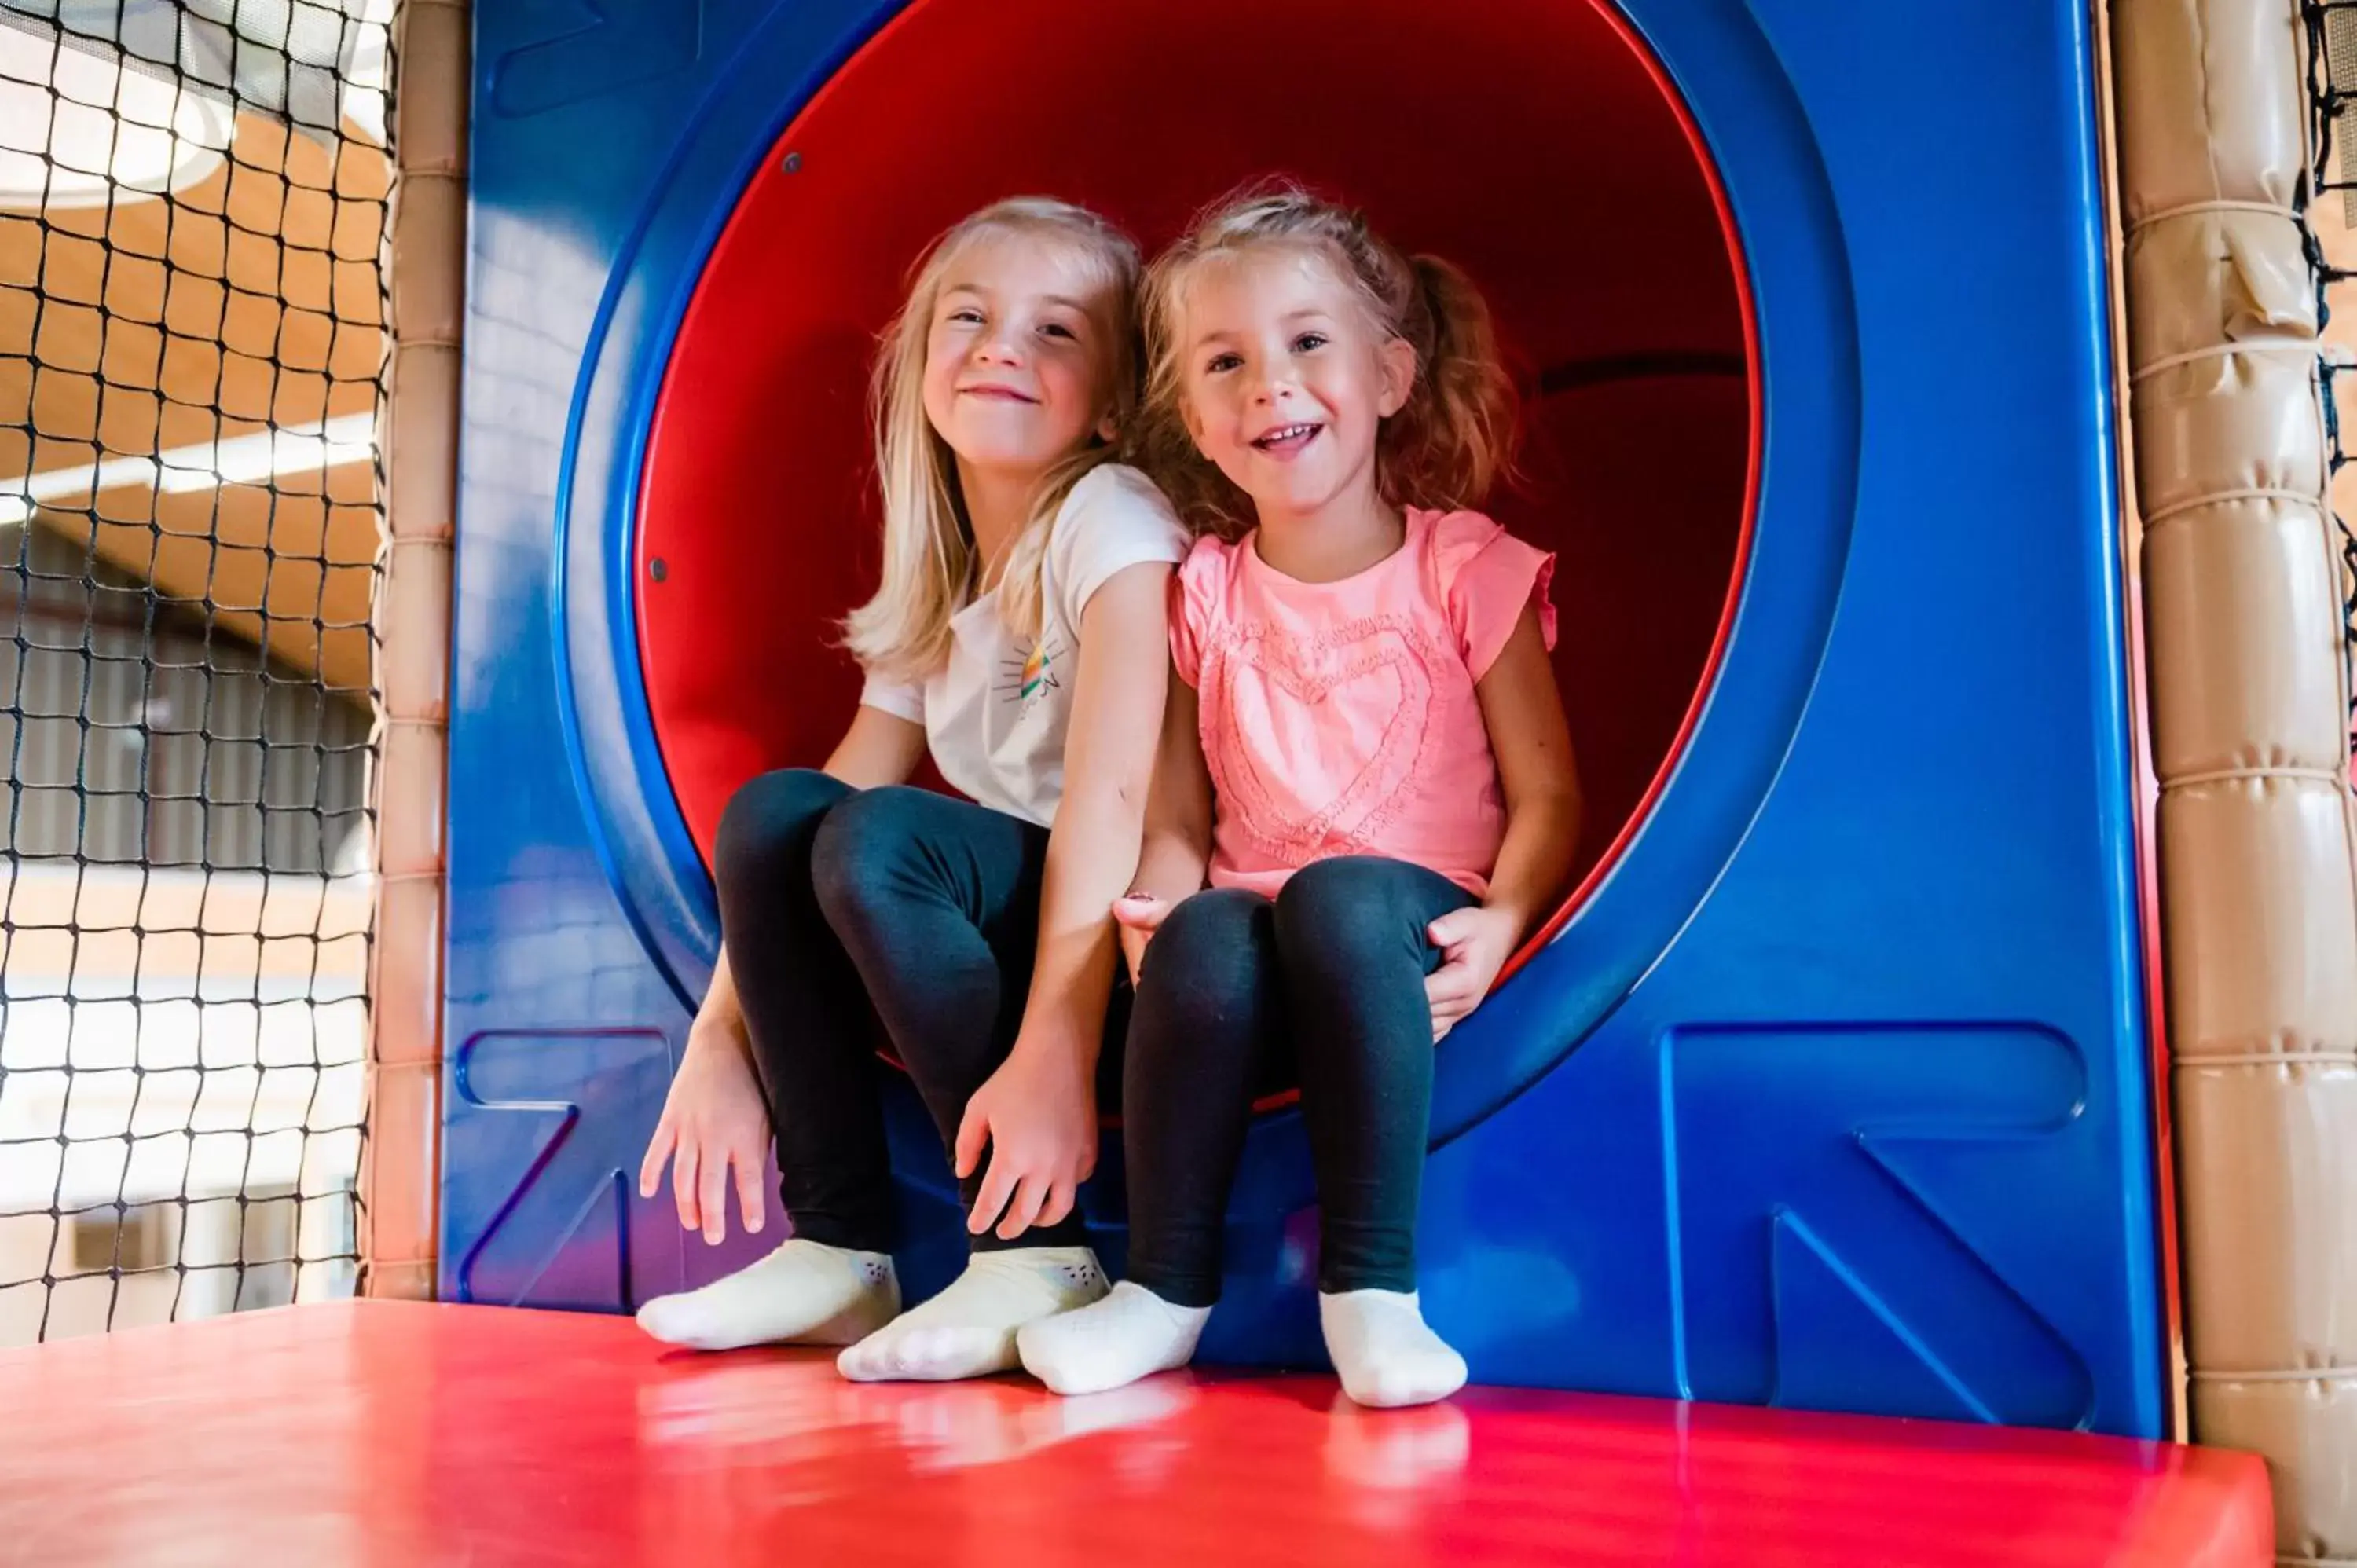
{"x":381,"y":1432}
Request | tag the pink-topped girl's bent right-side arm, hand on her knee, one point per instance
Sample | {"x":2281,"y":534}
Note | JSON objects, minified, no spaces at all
{"x":1533,"y":749}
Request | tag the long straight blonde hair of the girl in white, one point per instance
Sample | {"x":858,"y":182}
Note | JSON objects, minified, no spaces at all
{"x":930,"y":565}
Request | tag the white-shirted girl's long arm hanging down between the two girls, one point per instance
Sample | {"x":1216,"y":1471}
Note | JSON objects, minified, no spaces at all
{"x":1038,"y":1112}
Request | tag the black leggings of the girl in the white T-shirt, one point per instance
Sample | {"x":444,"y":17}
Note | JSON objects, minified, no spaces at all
{"x":847,"y":909}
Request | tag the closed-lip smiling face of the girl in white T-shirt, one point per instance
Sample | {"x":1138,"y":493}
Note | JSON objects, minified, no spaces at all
{"x":1019,"y":355}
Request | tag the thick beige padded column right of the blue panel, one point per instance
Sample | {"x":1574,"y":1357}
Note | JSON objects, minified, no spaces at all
{"x":2250,"y":739}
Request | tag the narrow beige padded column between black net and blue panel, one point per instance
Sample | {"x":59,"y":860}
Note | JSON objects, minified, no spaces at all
{"x":414,"y":647}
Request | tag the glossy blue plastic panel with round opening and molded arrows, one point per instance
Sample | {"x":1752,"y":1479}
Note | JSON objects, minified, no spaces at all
{"x":1858,"y":1107}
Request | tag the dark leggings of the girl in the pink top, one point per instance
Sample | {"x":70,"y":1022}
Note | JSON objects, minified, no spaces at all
{"x":1236,"y":991}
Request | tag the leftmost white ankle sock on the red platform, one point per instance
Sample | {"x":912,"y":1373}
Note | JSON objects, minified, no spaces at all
{"x":805,"y":1293}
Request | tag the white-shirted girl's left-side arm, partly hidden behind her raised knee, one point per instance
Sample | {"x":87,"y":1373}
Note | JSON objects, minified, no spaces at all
{"x":715,"y":1119}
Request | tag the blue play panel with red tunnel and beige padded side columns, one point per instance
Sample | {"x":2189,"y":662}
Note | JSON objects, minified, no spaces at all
{"x":1953,"y":635}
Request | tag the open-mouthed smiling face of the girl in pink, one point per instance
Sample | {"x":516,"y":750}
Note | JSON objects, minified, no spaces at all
{"x":1288,"y":378}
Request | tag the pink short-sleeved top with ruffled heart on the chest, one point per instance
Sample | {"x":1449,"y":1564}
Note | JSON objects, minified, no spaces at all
{"x":1340,"y":718}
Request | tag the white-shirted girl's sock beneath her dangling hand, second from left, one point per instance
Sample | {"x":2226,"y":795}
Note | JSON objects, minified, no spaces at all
{"x":970,"y":1329}
